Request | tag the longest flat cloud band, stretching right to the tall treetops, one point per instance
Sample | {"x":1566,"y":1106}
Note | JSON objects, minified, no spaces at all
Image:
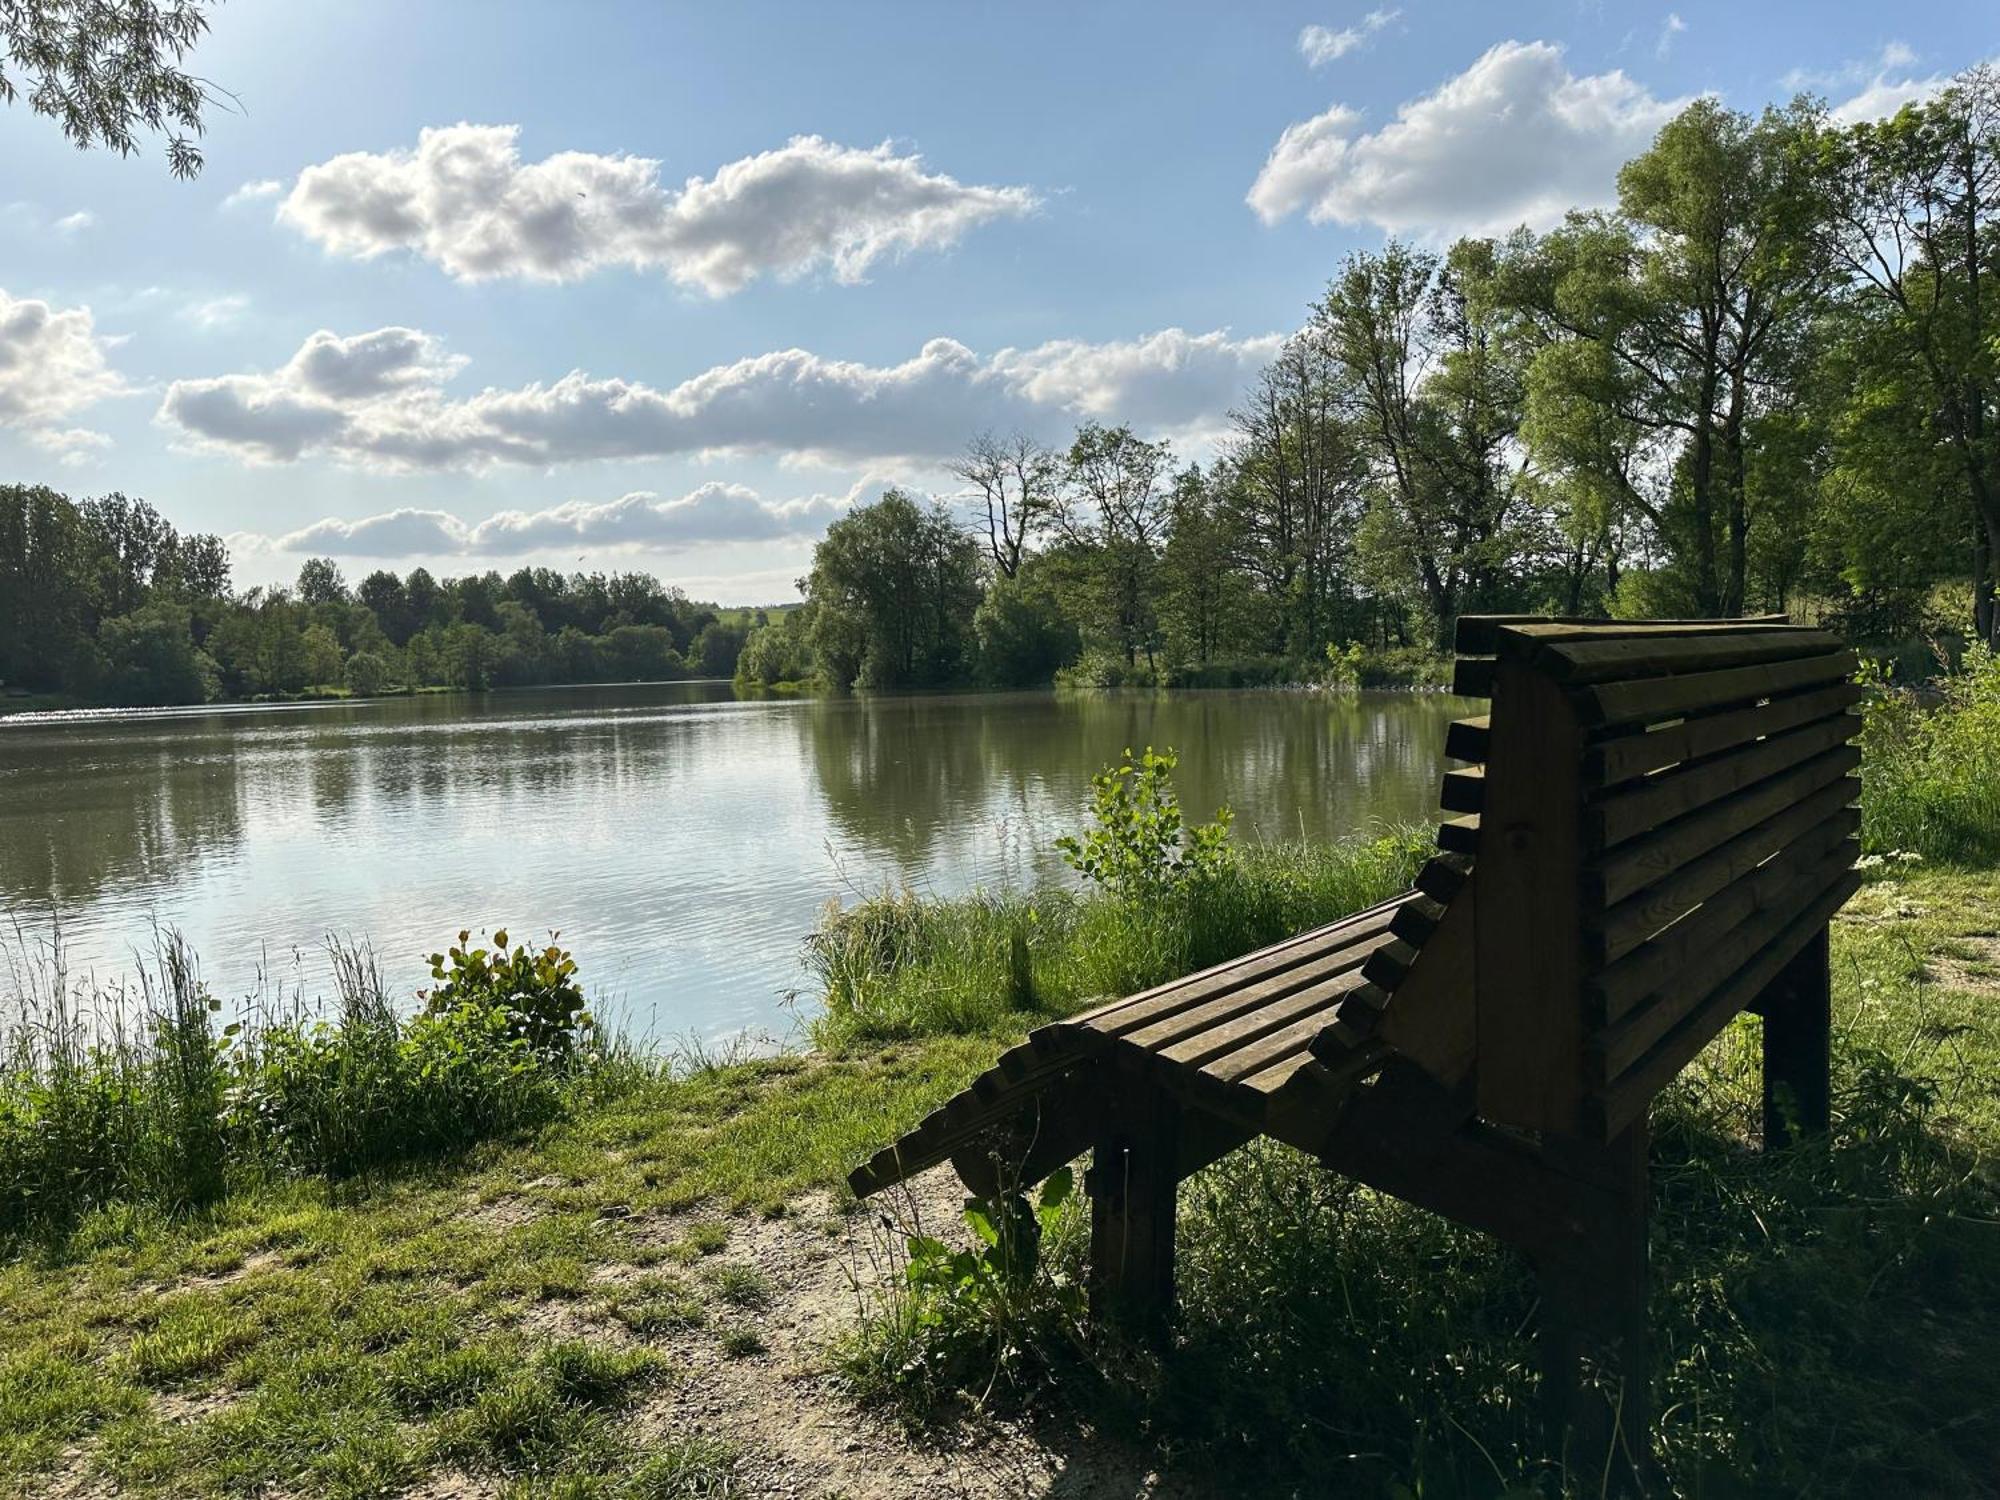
{"x":383,"y":401}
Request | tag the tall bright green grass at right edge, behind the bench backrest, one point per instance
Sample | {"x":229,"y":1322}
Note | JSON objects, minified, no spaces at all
{"x":1931,"y":767}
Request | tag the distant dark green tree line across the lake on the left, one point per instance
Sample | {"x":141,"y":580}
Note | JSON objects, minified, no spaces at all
{"x":105,"y":601}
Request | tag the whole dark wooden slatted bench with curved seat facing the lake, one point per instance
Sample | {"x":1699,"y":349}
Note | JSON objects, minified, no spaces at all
{"x":1651,"y":833}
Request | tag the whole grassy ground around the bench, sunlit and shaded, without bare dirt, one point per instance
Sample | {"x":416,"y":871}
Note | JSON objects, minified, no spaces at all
{"x":521,"y":1309}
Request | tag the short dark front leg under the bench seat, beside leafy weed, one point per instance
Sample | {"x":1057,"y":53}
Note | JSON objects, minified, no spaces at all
{"x":1133,"y":1177}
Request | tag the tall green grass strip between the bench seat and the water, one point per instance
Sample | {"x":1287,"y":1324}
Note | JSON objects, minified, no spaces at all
{"x":899,"y":965}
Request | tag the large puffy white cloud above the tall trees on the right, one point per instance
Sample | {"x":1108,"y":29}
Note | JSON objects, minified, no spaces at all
{"x":1515,"y":139}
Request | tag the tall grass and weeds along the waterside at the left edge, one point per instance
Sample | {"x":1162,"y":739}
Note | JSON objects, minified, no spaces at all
{"x":135,"y":1093}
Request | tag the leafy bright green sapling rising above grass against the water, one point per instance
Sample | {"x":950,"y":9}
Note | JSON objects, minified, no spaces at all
{"x":1143,"y":847}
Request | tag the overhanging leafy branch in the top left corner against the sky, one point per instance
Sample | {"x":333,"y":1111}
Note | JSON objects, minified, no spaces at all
{"x":107,"y":71}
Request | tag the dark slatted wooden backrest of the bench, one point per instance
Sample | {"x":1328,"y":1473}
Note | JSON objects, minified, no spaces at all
{"x":1665,"y":819}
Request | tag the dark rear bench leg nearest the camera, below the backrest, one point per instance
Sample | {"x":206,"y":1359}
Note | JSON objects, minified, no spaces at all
{"x":1595,"y":1313}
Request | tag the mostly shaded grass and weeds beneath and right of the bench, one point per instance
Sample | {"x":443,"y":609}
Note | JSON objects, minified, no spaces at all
{"x":1813,"y":1309}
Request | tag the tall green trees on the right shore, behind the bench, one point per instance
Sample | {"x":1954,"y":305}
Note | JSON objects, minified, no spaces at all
{"x":1769,"y":379}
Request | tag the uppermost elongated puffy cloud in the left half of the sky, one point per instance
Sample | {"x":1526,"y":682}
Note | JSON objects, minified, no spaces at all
{"x":467,"y":201}
